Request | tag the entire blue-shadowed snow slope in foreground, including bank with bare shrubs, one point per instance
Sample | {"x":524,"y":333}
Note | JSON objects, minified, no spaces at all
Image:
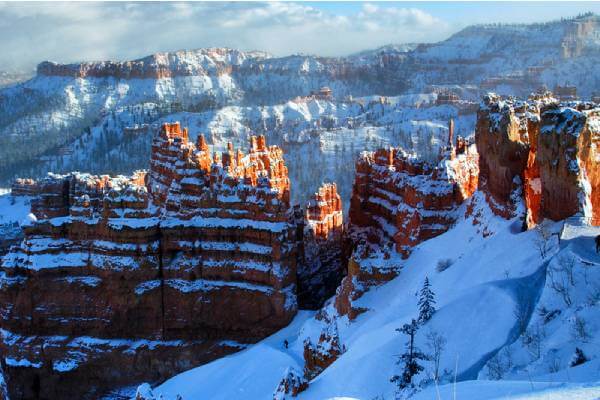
{"x":496,"y":288}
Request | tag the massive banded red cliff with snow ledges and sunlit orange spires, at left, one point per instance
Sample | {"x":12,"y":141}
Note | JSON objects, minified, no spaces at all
{"x":122,"y":280}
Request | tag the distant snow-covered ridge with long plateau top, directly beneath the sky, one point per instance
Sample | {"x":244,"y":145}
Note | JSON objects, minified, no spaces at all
{"x":63,"y":109}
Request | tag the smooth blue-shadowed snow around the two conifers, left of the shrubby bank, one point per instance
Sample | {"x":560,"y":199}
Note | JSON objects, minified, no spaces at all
{"x":492,"y":273}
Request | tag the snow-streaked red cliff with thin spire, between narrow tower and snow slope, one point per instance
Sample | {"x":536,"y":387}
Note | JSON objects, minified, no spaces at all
{"x":397,"y":202}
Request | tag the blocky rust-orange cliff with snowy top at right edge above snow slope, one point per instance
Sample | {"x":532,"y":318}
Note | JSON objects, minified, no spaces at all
{"x":546,"y":148}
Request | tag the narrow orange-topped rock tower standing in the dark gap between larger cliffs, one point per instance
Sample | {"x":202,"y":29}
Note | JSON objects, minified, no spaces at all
{"x":322,"y":267}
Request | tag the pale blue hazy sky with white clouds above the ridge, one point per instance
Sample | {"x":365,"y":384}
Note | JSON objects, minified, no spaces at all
{"x":70,"y":32}
